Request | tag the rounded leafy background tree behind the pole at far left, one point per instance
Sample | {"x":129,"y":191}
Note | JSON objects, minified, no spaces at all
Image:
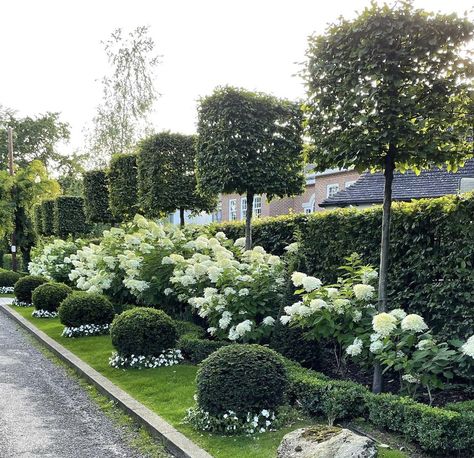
{"x":34,"y":138}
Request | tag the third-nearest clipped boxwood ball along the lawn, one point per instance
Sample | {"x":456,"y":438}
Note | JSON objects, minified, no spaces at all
{"x":85,"y":308}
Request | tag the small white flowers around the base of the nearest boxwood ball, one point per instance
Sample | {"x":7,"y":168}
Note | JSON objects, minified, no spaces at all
{"x":230,"y":423}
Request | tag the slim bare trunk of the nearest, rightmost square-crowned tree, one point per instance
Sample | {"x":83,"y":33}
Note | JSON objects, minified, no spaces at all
{"x":377,"y":385}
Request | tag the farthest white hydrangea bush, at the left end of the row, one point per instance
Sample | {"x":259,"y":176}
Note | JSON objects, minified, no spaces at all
{"x":53,"y":261}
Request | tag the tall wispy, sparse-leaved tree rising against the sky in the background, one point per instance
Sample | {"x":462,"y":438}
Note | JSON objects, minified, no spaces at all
{"x":128,"y":94}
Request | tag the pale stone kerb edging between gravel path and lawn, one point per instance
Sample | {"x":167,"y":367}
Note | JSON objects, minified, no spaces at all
{"x":176,"y":442}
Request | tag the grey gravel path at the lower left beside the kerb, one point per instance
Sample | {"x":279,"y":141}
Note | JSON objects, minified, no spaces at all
{"x":46,"y":413}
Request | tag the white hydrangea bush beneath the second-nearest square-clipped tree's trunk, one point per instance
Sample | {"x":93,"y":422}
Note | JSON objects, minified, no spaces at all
{"x":236,"y":291}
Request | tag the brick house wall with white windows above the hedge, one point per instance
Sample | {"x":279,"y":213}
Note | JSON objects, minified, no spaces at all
{"x":316,"y":191}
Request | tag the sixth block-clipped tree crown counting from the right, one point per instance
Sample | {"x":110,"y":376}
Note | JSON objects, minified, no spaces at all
{"x":69,"y":216}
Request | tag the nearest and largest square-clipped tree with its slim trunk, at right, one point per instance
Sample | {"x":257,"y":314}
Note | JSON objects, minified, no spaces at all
{"x":390,"y":90}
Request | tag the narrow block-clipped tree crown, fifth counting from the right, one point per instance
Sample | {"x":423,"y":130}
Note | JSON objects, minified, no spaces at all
{"x":96,"y":197}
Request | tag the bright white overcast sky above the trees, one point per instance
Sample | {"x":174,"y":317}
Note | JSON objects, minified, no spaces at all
{"x":51,"y":56}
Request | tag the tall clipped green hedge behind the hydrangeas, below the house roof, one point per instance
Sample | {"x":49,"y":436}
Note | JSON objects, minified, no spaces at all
{"x":432,"y":253}
